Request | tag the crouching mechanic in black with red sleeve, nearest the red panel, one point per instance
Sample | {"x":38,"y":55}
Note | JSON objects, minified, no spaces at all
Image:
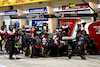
{"x":80,"y":49}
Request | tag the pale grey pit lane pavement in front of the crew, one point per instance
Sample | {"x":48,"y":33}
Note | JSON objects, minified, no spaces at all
{"x":76,"y":61}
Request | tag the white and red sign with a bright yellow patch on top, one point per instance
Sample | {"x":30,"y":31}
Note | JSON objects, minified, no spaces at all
{"x":71,"y":7}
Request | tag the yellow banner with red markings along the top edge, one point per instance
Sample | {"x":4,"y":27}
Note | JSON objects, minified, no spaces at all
{"x":16,"y":2}
